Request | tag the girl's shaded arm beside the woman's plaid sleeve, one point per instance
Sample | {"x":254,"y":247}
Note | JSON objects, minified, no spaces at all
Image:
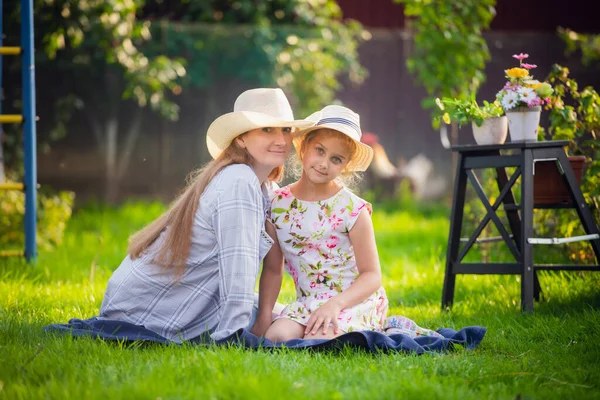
{"x":270,"y":284}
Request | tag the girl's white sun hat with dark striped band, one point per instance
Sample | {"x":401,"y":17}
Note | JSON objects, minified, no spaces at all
{"x":345,"y":121}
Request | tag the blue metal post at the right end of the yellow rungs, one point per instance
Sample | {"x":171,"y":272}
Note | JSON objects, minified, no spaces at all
{"x":29,"y":131}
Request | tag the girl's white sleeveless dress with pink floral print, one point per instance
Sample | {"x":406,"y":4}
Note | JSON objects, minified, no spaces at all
{"x":314,"y":238}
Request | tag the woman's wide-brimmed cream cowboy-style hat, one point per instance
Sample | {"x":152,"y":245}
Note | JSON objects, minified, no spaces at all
{"x":254,"y":108}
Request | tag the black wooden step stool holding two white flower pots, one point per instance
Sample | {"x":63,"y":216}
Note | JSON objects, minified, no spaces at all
{"x":520,"y":216}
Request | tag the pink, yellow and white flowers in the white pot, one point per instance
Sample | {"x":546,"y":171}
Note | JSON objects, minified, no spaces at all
{"x":520,"y":89}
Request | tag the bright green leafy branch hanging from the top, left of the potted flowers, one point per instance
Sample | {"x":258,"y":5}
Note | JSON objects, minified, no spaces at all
{"x":450,"y":52}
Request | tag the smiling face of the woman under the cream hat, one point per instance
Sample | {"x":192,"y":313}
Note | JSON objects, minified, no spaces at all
{"x":269,"y":147}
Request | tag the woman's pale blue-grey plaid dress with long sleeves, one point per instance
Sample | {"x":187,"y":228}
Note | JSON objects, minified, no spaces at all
{"x":216,"y":292}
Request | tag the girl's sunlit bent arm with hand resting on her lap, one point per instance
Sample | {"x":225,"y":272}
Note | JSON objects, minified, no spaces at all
{"x":362,"y":237}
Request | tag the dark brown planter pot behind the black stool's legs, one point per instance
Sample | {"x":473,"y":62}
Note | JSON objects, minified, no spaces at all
{"x":548,"y":184}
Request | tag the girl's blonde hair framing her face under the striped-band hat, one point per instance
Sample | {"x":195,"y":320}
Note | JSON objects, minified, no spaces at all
{"x":347,"y":178}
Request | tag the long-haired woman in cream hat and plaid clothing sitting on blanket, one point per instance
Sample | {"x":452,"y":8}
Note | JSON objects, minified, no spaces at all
{"x":193,"y":270}
